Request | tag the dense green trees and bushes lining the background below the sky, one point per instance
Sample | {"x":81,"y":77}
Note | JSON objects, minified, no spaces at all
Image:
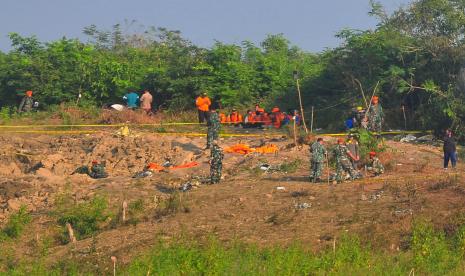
{"x":414,"y":57}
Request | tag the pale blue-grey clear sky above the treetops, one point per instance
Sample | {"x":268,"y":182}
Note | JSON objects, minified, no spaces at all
{"x":309,"y":24}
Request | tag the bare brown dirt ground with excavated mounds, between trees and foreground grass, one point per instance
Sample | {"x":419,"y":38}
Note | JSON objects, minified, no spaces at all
{"x":247,"y":206}
